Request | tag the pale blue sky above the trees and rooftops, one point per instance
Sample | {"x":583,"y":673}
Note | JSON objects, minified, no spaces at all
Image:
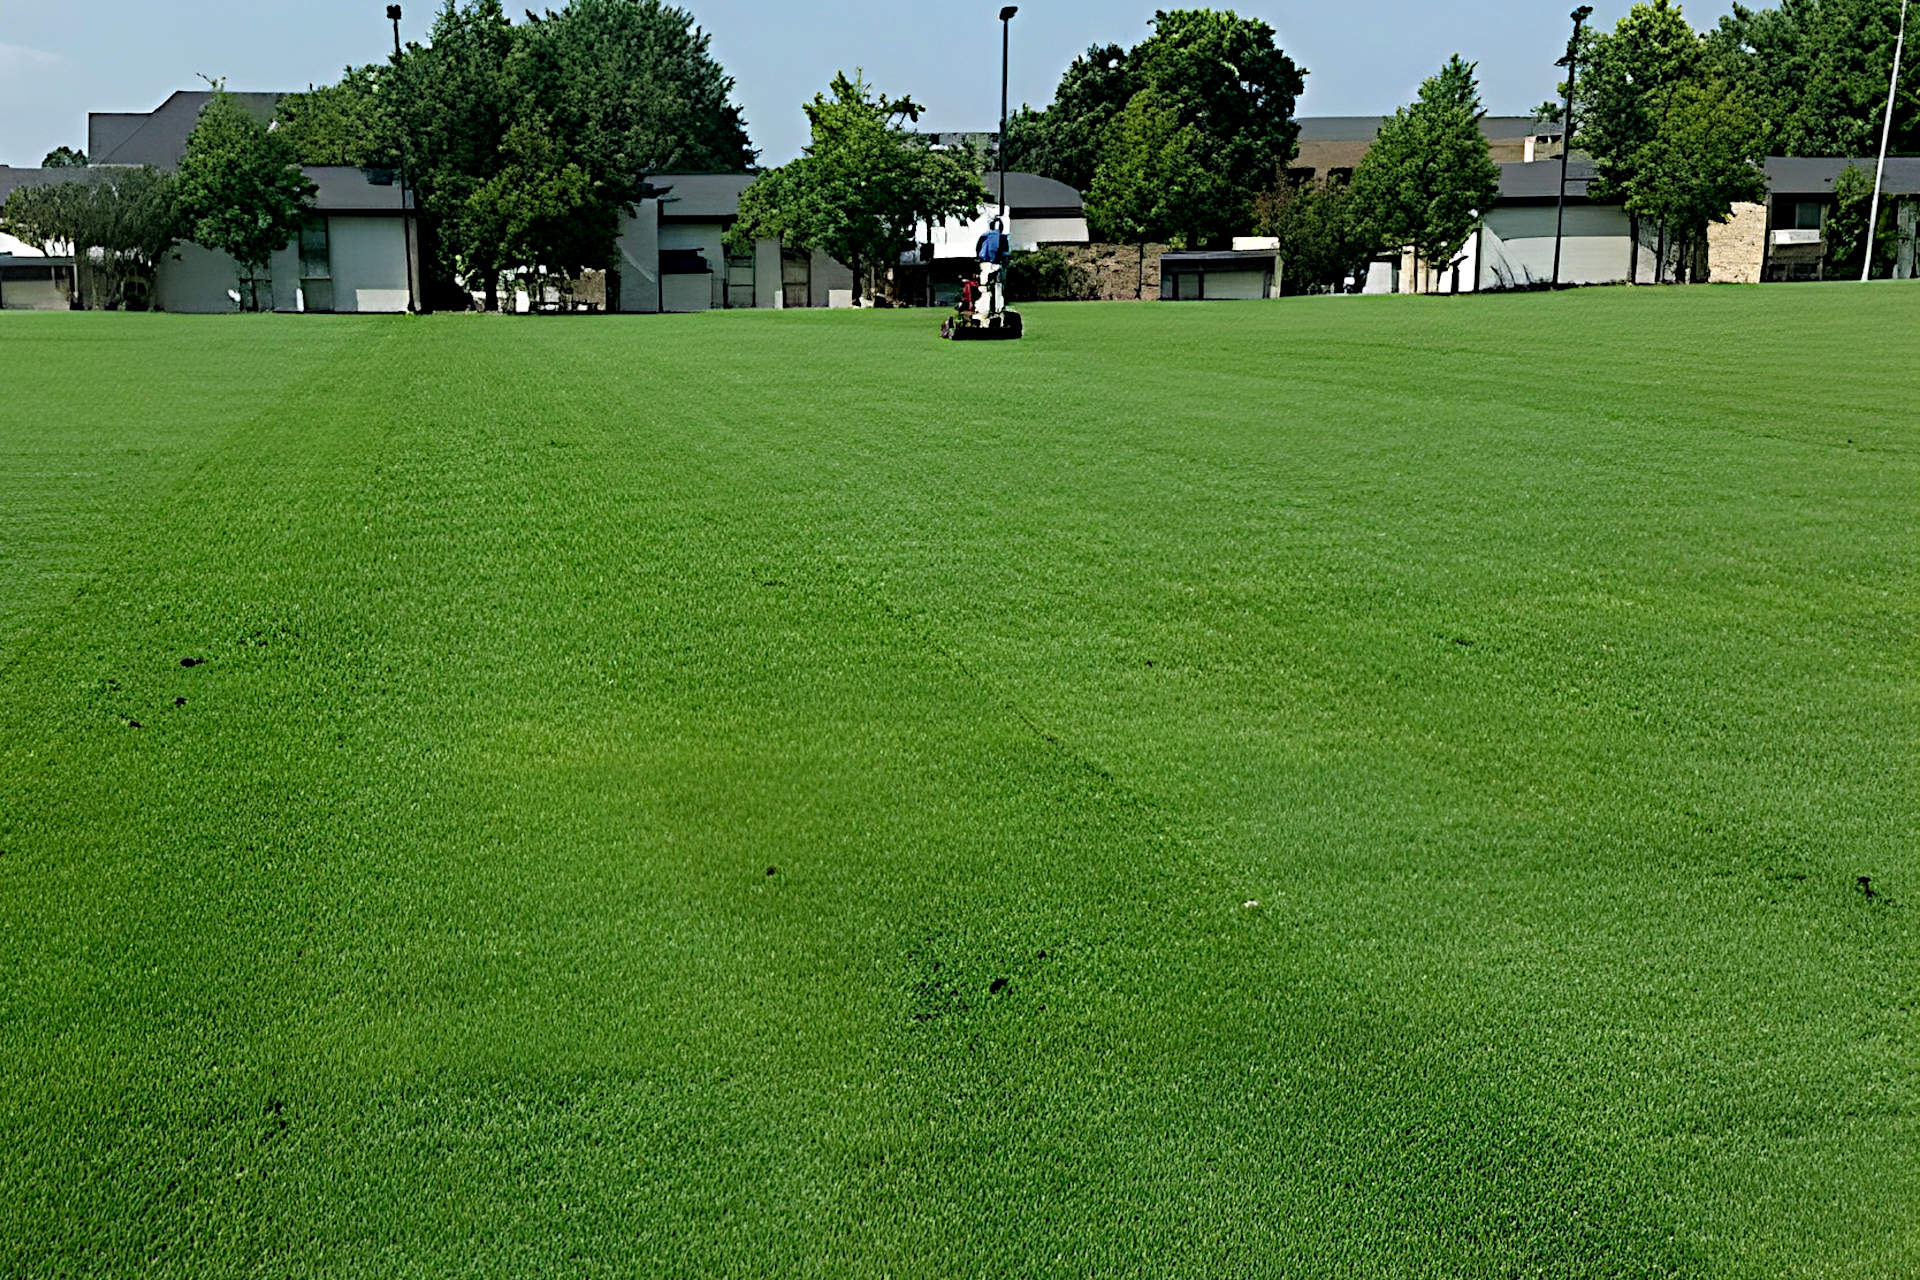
{"x":64,"y":59}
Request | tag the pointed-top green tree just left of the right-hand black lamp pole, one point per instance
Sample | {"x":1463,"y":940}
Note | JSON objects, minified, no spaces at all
{"x":1429,"y":174}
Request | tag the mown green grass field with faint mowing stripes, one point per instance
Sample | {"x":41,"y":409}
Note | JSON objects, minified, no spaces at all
{"x":1337,"y":788}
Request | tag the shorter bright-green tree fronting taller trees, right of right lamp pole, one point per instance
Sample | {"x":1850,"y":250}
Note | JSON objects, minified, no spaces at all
{"x":1704,"y":158}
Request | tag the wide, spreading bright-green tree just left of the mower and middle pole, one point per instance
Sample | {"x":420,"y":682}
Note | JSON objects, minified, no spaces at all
{"x":861,"y":185}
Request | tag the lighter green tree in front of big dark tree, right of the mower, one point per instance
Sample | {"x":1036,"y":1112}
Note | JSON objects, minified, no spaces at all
{"x":1153,"y":179}
